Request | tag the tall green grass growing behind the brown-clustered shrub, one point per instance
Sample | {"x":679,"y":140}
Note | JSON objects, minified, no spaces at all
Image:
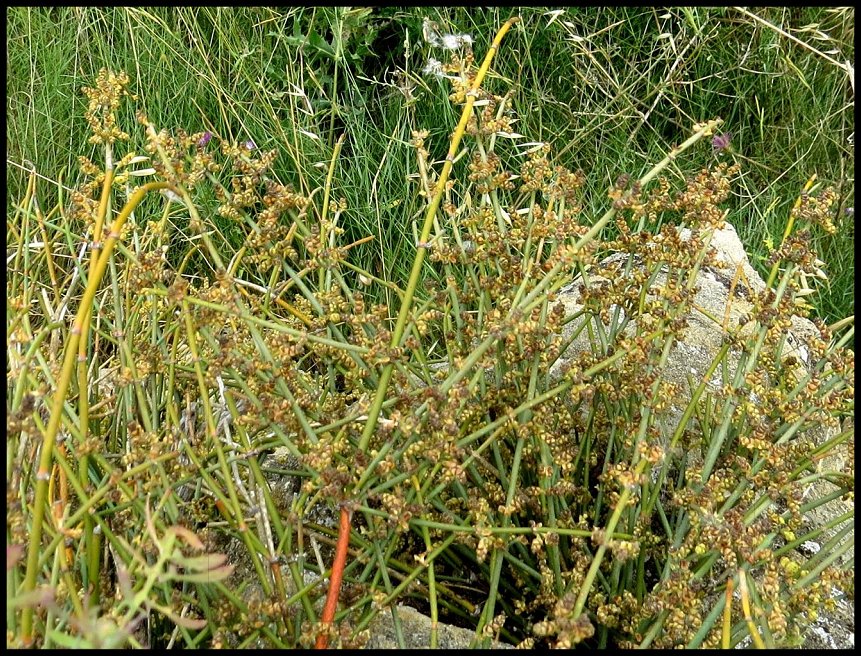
{"x":612,"y":88}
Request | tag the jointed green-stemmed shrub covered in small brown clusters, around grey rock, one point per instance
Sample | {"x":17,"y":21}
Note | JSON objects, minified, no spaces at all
{"x":154,"y":370}
